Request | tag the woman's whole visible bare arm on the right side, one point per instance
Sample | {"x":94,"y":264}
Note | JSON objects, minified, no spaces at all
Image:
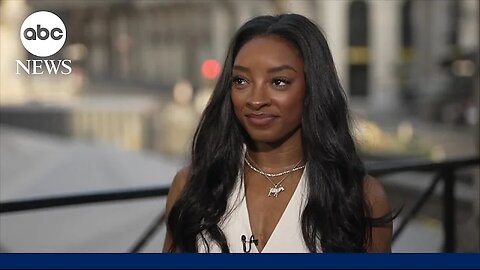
{"x":377,"y":201}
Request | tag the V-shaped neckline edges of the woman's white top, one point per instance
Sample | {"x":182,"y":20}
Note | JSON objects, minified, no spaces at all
{"x":285,"y":211}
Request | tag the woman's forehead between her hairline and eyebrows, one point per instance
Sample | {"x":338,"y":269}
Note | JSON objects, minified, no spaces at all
{"x":269,"y":50}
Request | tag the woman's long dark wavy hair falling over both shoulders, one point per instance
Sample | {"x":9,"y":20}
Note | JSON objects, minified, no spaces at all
{"x":336,"y":217}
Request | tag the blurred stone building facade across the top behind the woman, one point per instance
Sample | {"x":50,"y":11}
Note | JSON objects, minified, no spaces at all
{"x":386,"y":52}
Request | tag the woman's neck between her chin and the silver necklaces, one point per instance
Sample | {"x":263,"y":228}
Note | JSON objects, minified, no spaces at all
{"x":272,"y":157}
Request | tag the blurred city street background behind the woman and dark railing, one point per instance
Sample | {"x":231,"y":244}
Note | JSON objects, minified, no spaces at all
{"x":143,"y":71}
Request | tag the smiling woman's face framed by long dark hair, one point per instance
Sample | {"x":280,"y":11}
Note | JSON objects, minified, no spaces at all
{"x":268,"y":89}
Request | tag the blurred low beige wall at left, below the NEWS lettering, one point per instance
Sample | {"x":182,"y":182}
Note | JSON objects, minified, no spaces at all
{"x":124,"y":122}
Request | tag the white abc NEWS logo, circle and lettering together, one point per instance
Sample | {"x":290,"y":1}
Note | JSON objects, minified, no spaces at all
{"x":43,"y":34}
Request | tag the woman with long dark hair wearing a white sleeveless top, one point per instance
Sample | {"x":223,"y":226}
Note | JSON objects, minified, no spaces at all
{"x":274,"y":167}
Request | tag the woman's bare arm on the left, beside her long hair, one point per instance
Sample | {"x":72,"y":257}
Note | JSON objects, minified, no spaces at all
{"x":176,"y":188}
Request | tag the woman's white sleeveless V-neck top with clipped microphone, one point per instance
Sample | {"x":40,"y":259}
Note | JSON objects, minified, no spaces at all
{"x":286,"y":237}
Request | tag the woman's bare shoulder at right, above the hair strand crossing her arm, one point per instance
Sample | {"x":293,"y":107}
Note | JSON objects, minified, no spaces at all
{"x":375,"y":196}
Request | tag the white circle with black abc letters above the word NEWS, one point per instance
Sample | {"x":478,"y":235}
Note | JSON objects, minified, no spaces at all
{"x":43,"y":33}
